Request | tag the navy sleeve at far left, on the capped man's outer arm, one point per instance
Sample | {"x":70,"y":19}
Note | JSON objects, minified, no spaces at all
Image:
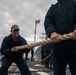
{"x":4,"y":48}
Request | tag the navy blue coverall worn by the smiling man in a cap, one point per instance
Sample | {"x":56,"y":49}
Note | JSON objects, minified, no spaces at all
{"x":16,"y":57}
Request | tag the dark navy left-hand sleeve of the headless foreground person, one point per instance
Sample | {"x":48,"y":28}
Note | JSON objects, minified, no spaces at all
{"x":49,"y":22}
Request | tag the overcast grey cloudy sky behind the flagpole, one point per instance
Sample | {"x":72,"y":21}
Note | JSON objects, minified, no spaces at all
{"x":24,"y":13}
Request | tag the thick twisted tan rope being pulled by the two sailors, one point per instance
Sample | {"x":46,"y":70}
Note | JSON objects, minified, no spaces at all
{"x":63,"y":37}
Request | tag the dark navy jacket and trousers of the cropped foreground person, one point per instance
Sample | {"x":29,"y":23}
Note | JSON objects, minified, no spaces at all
{"x":61,"y":18}
